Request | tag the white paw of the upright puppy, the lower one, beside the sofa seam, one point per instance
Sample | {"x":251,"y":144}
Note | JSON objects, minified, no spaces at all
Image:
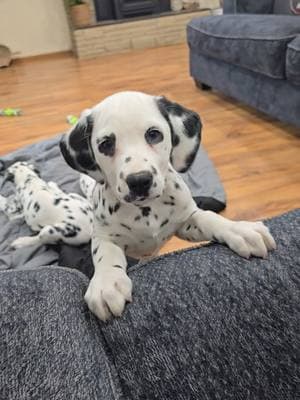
{"x":108,"y":293}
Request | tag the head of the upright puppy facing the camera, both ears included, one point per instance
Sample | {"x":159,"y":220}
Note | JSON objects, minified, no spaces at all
{"x":128,"y":141}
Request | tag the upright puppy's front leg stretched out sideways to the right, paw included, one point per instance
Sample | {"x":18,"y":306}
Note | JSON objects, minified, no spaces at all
{"x":245,"y":238}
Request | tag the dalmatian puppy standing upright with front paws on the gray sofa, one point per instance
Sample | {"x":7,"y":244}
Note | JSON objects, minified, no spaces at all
{"x":133,"y":145}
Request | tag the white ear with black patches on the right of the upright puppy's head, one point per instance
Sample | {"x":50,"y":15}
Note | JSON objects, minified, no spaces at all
{"x":185,"y":128}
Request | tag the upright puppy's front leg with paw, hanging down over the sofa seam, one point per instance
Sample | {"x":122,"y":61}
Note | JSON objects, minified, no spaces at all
{"x":110,"y":287}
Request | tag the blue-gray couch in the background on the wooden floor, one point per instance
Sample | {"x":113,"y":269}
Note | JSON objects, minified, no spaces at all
{"x":251,"y":53}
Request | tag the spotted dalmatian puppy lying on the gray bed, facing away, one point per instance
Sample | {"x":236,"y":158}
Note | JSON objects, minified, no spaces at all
{"x":57,"y":216}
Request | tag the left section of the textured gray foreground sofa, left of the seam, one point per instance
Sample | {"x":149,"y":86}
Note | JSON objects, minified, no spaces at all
{"x":51,"y":346}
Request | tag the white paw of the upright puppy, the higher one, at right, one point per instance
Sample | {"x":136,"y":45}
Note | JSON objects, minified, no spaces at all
{"x":248,"y":238}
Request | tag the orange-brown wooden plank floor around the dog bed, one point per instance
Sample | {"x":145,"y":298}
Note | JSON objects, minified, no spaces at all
{"x":256,"y":156}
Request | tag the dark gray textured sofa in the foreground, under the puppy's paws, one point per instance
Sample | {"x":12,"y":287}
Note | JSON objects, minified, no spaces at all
{"x":204,"y":324}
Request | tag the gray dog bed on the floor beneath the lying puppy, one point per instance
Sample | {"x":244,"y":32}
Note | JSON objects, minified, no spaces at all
{"x":202,"y":179}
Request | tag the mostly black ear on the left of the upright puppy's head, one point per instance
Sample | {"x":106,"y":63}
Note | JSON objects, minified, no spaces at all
{"x":76,"y":149}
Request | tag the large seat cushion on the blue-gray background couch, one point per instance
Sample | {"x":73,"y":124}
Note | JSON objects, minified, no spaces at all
{"x":255,"y":42}
